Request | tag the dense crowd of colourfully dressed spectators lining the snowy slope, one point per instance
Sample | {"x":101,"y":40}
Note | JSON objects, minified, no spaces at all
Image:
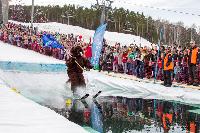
{"x":142,"y":62}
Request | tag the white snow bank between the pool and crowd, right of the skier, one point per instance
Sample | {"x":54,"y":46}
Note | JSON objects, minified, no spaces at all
{"x":115,"y":86}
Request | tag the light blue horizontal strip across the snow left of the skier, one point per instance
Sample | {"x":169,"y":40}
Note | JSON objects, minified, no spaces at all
{"x":32,"y":67}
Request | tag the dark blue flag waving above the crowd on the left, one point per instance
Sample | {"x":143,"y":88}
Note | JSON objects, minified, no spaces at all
{"x":50,"y":41}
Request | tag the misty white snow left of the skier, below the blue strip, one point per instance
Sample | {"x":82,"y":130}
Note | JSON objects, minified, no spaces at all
{"x":44,"y":88}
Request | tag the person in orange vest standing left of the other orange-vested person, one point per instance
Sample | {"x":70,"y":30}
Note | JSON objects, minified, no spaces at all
{"x":168,"y":68}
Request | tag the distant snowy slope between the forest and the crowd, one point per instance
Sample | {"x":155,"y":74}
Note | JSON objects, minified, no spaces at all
{"x":111,"y":37}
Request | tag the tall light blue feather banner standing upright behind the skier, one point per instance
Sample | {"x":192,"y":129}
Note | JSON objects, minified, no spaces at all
{"x":97,"y":44}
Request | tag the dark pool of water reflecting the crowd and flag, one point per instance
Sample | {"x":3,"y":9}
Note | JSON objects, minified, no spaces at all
{"x":118,"y":114}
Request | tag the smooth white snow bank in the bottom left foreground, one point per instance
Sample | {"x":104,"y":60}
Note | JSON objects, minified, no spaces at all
{"x":20,"y":115}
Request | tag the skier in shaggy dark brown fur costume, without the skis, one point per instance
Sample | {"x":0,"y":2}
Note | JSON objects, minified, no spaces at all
{"x":75,"y":67}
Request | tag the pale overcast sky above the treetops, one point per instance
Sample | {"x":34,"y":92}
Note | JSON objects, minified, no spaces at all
{"x":189,"y":6}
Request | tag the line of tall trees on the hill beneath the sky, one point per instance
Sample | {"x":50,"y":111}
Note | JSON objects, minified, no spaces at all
{"x":118,"y":19}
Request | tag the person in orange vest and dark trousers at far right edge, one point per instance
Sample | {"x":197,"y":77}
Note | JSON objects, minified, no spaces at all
{"x":192,"y":63}
